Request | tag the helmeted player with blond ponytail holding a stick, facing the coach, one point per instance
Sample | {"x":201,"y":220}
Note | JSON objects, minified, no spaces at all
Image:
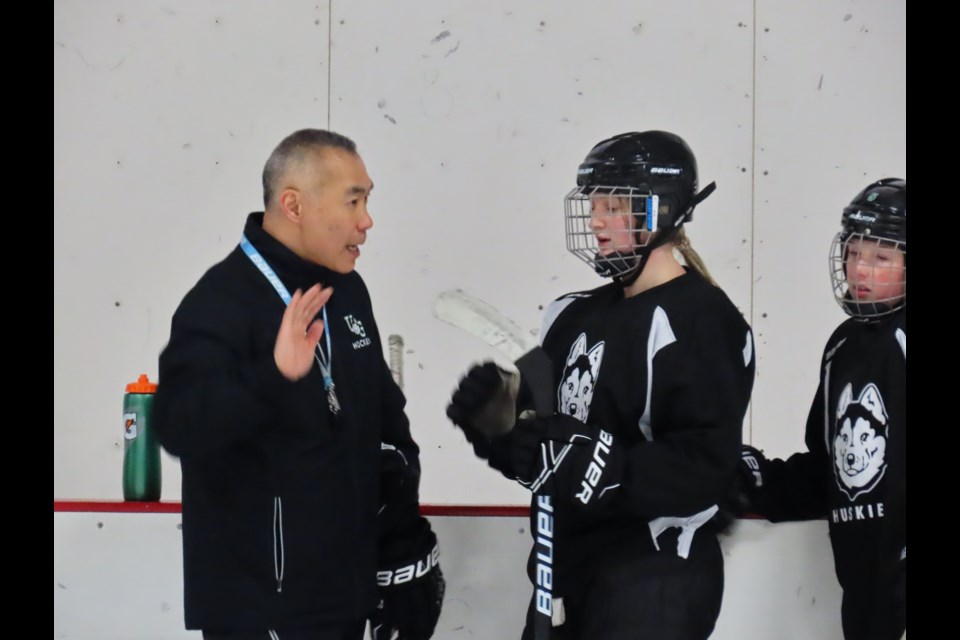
{"x":652,"y":375}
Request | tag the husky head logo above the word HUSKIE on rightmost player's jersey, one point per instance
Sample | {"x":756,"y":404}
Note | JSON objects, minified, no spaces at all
{"x":859,"y":448}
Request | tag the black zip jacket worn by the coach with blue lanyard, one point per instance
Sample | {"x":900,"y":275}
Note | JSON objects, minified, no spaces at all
{"x":280,"y":500}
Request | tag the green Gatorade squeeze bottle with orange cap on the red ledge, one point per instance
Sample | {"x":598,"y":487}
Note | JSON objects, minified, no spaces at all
{"x":141,"y":449}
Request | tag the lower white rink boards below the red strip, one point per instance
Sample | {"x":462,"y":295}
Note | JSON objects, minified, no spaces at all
{"x":117,"y":576}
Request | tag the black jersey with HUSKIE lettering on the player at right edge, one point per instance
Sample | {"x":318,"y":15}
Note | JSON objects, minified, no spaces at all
{"x":854,"y":472}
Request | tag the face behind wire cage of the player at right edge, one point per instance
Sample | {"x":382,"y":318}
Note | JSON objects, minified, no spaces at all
{"x":869,"y":275}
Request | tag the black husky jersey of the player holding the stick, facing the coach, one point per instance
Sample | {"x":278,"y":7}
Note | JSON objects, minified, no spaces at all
{"x":669,"y":373}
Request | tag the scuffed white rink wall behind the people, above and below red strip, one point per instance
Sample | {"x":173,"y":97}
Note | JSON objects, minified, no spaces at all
{"x":471,"y":118}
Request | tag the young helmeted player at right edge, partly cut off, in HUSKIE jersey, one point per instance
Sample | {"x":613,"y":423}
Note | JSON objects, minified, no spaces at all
{"x":854,"y":472}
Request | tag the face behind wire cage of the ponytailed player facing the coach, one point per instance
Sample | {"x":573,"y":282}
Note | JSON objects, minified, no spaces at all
{"x":606,"y":225}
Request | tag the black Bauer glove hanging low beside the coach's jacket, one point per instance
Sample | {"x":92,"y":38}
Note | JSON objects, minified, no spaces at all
{"x":411,"y":590}
